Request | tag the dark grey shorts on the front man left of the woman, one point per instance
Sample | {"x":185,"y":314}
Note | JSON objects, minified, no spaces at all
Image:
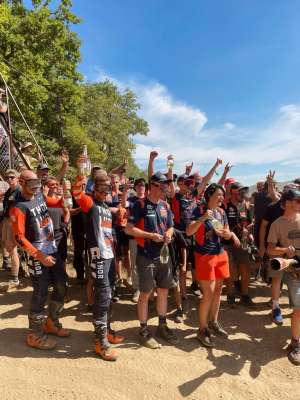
{"x":152,"y":274}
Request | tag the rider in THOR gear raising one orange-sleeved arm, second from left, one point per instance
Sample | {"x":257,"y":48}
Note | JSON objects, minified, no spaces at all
{"x":102,"y":265}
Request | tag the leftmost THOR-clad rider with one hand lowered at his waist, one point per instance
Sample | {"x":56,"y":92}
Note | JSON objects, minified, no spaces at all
{"x":33,"y":230}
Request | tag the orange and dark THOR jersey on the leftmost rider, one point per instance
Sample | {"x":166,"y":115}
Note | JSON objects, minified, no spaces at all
{"x":32,"y":225}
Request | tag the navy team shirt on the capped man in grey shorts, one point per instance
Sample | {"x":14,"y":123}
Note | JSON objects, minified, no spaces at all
{"x":154,"y":218}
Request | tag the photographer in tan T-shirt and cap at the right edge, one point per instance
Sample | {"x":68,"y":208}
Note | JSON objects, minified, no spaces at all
{"x":284,"y":241}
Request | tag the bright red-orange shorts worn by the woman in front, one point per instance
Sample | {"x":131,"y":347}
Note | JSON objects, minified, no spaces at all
{"x":211,"y":267}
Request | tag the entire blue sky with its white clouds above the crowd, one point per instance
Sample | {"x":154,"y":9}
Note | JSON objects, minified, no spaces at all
{"x":214,"y":78}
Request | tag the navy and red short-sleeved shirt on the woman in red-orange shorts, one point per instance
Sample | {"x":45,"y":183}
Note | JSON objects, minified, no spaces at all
{"x":206,"y":239}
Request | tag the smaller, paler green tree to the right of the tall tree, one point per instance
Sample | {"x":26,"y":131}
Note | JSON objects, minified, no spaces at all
{"x":111,"y":120}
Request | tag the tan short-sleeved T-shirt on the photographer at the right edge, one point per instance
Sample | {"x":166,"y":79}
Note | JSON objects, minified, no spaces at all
{"x":285,"y":233}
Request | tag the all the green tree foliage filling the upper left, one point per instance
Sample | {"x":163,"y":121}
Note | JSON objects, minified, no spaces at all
{"x":39,"y":57}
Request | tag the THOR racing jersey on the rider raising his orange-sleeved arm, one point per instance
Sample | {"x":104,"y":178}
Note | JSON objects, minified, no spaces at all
{"x":98,"y":224}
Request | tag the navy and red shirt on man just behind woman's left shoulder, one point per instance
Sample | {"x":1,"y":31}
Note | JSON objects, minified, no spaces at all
{"x":182,"y":208}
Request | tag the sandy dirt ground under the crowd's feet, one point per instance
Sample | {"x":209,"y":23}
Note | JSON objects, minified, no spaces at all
{"x":252,"y":364}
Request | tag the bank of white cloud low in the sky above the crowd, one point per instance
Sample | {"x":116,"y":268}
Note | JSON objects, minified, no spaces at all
{"x":180,"y":129}
